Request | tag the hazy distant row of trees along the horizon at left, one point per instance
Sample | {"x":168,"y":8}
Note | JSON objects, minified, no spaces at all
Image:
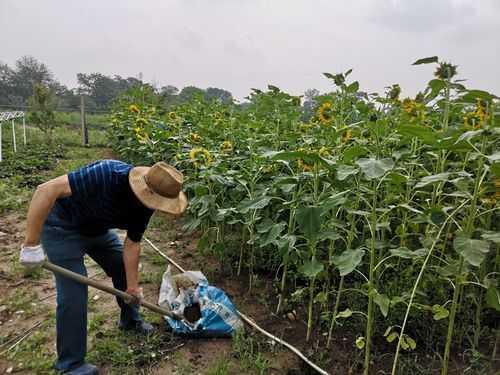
{"x":18,"y":85}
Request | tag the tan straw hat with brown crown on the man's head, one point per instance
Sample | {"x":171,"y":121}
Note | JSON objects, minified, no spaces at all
{"x":159,"y":188}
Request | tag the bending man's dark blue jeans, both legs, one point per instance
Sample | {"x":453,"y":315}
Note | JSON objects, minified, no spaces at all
{"x":66,"y":247}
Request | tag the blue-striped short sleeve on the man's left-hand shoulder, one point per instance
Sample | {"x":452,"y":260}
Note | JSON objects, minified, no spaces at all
{"x":86,"y":181}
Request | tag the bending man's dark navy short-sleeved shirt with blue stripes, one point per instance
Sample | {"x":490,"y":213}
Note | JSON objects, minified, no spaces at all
{"x":101,"y":199}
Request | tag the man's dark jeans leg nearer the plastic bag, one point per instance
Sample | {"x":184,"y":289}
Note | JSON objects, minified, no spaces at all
{"x":107,"y":251}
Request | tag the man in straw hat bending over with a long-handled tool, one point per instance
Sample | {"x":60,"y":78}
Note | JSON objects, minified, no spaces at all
{"x":73,"y":215}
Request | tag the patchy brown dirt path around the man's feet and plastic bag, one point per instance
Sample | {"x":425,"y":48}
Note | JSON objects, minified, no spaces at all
{"x":29,"y":299}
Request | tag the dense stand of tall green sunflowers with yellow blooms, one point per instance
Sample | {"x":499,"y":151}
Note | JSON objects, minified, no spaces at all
{"x":375,"y":213}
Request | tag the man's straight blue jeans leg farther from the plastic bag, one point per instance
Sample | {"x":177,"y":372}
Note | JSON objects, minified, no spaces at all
{"x":65,"y":248}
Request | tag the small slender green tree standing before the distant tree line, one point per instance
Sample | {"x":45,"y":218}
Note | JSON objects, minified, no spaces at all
{"x":42,"y":109}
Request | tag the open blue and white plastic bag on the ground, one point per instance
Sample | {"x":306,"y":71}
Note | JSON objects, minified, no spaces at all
{"x":219,"y":316}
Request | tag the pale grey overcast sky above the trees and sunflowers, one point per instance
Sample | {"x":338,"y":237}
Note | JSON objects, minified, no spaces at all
{"x":239,"y":44}
